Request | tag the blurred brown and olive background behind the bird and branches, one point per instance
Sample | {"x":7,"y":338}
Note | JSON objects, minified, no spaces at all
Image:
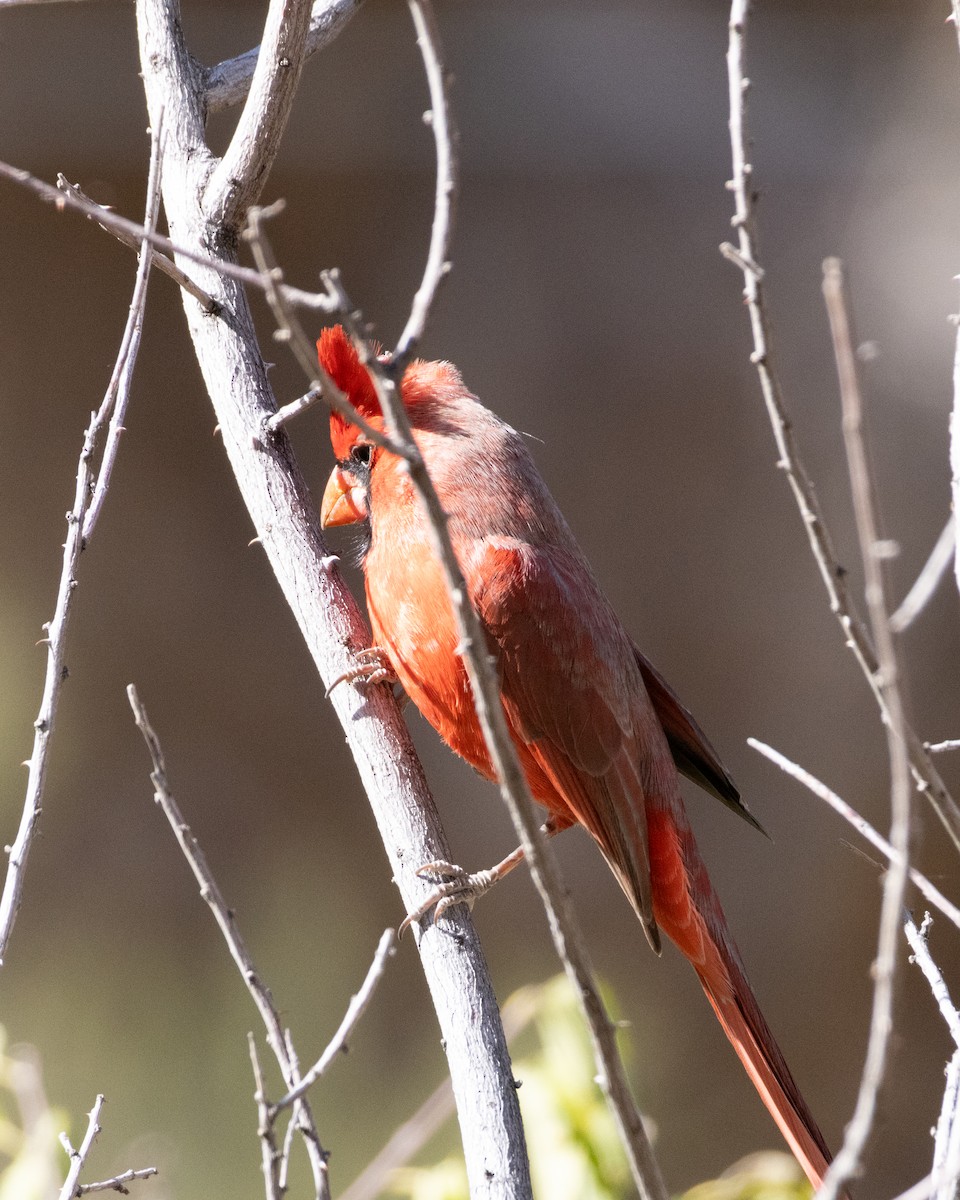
{"x":591,"y":308}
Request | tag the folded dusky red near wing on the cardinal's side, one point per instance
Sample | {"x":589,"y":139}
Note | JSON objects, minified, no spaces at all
{"x":574,"y":697}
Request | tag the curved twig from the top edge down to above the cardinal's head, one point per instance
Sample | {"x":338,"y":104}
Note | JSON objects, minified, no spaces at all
{"x":446,"y":140}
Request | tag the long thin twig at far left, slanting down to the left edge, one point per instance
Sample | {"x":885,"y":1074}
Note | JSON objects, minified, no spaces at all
{"x":88,"y":502}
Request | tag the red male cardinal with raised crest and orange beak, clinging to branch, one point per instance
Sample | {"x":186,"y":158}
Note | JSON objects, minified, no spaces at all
{"x":599,"y":733}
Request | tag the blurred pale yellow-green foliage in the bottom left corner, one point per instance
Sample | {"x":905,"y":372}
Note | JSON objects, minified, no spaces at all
{"x":31,"y":1154}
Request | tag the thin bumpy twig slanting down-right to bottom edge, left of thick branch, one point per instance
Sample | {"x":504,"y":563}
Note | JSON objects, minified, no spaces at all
{"x":229,"y":928}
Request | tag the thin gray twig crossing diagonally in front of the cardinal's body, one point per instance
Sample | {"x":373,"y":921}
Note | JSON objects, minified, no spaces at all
{"x":503,"y":754}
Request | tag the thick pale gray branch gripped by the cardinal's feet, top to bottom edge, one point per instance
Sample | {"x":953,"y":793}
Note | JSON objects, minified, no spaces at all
{"x":286,"y":523}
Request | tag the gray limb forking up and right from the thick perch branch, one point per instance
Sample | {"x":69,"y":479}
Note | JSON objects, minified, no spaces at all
{"x":239,"y":176}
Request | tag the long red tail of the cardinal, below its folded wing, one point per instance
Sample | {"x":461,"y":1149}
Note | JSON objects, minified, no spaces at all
{"x":689,"y":913}
